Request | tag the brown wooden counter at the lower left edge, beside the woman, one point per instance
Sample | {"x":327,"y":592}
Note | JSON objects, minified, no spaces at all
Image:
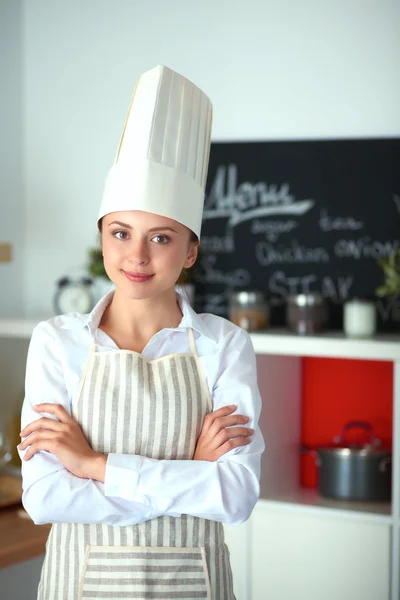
{"x":20,"y":538}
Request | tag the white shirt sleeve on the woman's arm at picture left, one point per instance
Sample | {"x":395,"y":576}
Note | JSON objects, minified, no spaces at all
{"x":51,"y":494}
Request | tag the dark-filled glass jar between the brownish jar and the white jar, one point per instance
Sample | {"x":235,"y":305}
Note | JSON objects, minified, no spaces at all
{"x":306,"y":313}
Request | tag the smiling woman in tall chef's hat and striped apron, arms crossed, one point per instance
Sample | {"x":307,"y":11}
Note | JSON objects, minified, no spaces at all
{"x":149,"y":438}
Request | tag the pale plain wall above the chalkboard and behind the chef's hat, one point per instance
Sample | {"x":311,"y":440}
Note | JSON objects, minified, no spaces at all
{"x":274,"y":70}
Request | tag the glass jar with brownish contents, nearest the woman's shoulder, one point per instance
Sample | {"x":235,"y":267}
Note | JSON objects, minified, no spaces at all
{"x":249,"y":310}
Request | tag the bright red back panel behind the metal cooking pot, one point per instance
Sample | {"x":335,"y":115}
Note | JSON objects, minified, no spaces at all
{"x":335,"y":391}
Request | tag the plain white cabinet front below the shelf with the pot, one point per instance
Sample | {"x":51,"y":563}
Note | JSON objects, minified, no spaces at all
{"x":298,"y":556}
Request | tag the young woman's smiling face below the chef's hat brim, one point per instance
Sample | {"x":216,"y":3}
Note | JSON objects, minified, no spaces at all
{"x":144,"y":253}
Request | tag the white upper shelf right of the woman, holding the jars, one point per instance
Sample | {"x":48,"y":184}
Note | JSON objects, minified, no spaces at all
{"x":332,"y":344}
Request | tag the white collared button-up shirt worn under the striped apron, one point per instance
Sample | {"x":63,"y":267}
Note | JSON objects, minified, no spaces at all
{"x":137,"y":488}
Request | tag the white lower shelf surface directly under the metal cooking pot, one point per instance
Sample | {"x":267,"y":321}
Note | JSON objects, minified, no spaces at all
{"x":309,"y":500}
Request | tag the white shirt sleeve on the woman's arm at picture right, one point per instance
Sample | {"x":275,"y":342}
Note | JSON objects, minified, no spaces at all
{"x":225,"y":490}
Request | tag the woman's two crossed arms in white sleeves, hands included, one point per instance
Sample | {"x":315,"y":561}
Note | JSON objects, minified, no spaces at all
{"x":65,"y":480}
